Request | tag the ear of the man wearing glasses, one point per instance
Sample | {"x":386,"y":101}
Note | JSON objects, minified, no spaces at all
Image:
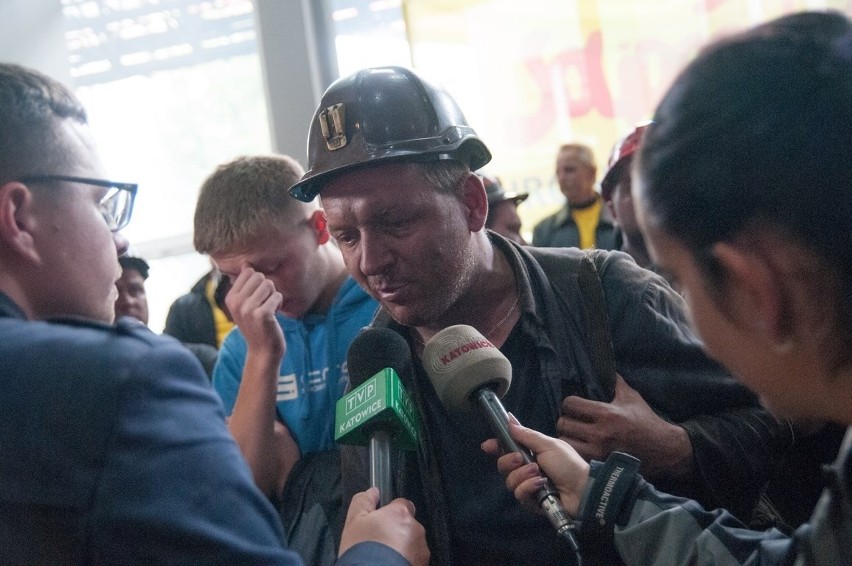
{"x":17,"y":220}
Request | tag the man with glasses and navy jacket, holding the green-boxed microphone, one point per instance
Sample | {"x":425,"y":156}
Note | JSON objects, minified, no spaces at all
{"x":114,"y":447}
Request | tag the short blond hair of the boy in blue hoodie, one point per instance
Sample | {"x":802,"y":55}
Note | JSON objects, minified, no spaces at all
{"x":245,"y":196}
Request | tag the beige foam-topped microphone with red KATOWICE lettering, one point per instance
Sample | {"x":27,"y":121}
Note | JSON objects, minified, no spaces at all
{"x":467,"y":371}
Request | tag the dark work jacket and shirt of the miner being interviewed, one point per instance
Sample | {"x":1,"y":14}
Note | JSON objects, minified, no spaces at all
{"x":469,"y":514}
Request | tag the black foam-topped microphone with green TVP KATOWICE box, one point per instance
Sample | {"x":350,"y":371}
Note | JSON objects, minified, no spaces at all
{"x":377,"y":411}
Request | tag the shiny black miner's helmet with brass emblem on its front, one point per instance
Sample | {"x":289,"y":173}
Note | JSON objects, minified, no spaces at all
{"x":385,"y":114}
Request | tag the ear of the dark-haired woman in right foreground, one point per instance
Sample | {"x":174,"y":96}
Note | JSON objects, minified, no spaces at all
{"x":755,"y":292}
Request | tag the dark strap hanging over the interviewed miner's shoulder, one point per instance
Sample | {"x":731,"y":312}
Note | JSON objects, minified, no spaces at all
{"x":598,"y":338}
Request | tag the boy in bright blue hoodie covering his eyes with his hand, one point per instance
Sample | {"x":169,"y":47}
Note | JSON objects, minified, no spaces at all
{"x":281,"y":371}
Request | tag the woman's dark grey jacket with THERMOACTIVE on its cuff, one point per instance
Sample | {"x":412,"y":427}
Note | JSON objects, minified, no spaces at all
{"x":650,"y":528}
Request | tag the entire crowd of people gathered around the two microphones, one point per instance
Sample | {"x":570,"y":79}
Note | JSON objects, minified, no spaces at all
{"x":678,"y":341}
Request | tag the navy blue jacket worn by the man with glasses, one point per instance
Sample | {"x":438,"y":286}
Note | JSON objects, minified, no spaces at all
{"x":115,"y":451}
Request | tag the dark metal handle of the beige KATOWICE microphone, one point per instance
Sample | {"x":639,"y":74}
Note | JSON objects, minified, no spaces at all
{"x":547,"y":495}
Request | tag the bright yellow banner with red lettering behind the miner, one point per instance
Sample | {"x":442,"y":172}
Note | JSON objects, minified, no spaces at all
{"x":533,"y":74}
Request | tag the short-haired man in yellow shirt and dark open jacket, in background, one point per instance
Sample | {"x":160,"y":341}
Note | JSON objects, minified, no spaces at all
{"x":583,"y":222}
